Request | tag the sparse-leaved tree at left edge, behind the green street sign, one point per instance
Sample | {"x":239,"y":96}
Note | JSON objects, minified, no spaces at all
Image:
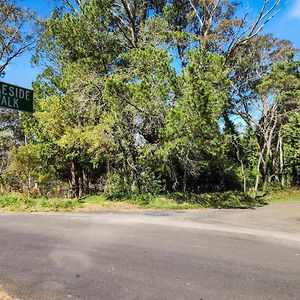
{"x":16,"y":37}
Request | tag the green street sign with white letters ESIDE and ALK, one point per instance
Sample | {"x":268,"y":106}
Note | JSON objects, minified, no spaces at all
{"x":15,"y":97}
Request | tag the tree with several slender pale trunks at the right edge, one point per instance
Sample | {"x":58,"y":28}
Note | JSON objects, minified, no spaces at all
{"x":280,"y":91}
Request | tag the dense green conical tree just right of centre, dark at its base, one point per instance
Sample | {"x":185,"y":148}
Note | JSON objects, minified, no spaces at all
{"x":192,"y":138}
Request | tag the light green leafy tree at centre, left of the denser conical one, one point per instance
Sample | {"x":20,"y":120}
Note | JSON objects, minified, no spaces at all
{"x":138,"y":98}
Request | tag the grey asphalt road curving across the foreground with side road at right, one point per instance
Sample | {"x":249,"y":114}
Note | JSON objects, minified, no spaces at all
{"x":207,"y":254}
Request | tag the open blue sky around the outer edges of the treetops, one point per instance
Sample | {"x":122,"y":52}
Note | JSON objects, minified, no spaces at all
{"x":285,"y":25}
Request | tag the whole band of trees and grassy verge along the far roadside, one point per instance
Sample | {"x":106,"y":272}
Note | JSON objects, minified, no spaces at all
{"x":154,"y":104}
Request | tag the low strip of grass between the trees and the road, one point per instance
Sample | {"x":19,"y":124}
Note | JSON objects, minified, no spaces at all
{"x":174,"y":201}
